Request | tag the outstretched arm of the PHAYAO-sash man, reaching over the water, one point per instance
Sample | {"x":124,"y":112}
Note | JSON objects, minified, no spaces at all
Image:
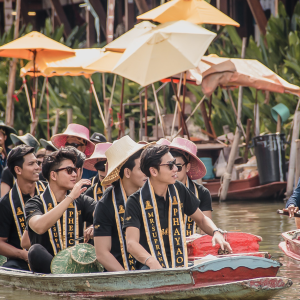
{"x":208,"y":226}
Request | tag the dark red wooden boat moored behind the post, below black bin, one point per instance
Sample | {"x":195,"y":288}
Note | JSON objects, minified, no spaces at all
{"x":246,"y":189}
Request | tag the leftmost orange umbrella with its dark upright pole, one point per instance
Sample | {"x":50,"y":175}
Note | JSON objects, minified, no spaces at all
{"x":29,"y":47}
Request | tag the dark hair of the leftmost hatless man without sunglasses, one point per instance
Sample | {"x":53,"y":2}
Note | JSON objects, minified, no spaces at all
{"x":16,"y":157}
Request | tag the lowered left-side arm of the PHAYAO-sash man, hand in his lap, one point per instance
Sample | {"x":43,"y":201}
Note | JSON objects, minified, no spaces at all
{"x":138,"y":251}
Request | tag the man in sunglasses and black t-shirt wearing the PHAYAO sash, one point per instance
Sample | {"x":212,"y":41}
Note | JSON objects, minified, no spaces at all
{"x":154,"y":224}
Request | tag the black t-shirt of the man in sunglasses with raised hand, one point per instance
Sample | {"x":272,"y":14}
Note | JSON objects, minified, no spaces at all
{"x":85,"y":206}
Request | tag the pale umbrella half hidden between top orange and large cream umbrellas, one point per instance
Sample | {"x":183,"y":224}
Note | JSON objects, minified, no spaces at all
{"x":121,"y":43}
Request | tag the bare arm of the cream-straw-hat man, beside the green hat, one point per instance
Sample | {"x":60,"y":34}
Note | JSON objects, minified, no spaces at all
{"x":103,"y":248}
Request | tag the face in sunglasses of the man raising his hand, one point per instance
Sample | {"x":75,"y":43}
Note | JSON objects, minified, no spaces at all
{"x":64,"y":180}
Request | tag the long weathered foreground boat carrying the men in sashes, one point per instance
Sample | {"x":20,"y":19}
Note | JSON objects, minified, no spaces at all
{"x":222,"y":278}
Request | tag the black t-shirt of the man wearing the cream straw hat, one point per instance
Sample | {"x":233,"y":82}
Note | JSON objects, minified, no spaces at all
{"x":105,"y":223}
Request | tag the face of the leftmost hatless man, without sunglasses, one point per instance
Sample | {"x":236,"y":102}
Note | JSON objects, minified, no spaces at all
{"x":30,"y":170}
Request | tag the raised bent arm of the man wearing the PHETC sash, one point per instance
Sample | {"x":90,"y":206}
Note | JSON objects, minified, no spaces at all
{"x":41,"y":223}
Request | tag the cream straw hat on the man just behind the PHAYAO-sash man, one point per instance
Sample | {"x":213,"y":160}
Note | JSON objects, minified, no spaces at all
{"x":117,"y":155}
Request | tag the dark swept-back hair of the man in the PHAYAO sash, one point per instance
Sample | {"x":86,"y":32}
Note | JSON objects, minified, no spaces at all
{"x":151,"y":157}
